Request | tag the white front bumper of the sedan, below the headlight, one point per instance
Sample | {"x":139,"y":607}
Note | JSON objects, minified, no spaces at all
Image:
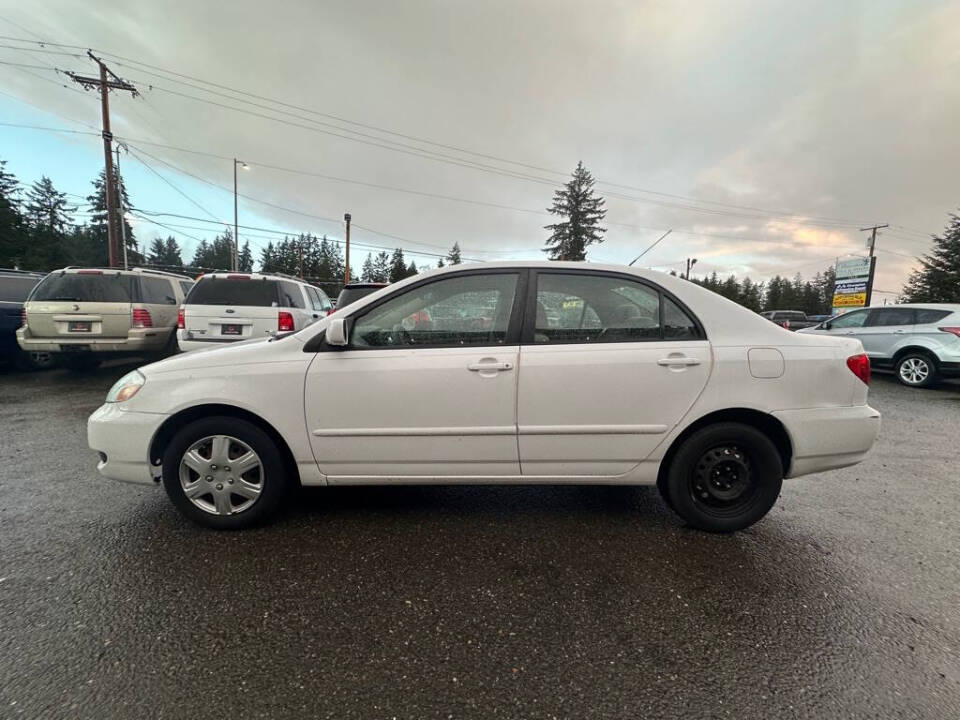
{"x":122,"y":438}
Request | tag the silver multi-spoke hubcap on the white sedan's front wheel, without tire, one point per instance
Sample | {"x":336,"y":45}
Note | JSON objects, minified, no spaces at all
{"x":221,"y":475}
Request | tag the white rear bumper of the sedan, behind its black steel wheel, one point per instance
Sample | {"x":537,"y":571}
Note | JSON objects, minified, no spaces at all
{"x":829,"y":438}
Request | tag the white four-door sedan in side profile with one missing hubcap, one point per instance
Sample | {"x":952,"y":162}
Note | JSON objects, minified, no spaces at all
{"x":528,"y":372}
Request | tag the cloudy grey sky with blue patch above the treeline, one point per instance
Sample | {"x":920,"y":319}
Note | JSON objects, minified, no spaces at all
{"x":763,"y":133}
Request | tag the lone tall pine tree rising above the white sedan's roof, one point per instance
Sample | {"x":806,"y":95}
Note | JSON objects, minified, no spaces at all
{"x":582,"y":212}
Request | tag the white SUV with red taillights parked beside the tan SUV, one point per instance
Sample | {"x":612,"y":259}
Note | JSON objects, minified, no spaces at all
{"x":226,"y":307}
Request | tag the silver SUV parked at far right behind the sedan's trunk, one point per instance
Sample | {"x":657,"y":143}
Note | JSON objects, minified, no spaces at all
{"x":920,"y":343}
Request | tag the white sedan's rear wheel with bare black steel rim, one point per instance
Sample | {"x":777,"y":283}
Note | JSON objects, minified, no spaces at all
{"x":724,"y":477}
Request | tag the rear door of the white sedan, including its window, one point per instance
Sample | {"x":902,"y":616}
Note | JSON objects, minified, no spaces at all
{"x":608,"y":366}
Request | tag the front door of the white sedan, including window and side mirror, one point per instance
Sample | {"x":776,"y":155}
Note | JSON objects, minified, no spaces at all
{"x":426,"y":386}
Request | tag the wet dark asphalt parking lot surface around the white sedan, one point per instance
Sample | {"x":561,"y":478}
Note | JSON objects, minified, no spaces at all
{"x":477,"y":602}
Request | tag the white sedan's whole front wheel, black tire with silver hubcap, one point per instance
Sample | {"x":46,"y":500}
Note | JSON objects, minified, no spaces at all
{"x":211,"y":493}
